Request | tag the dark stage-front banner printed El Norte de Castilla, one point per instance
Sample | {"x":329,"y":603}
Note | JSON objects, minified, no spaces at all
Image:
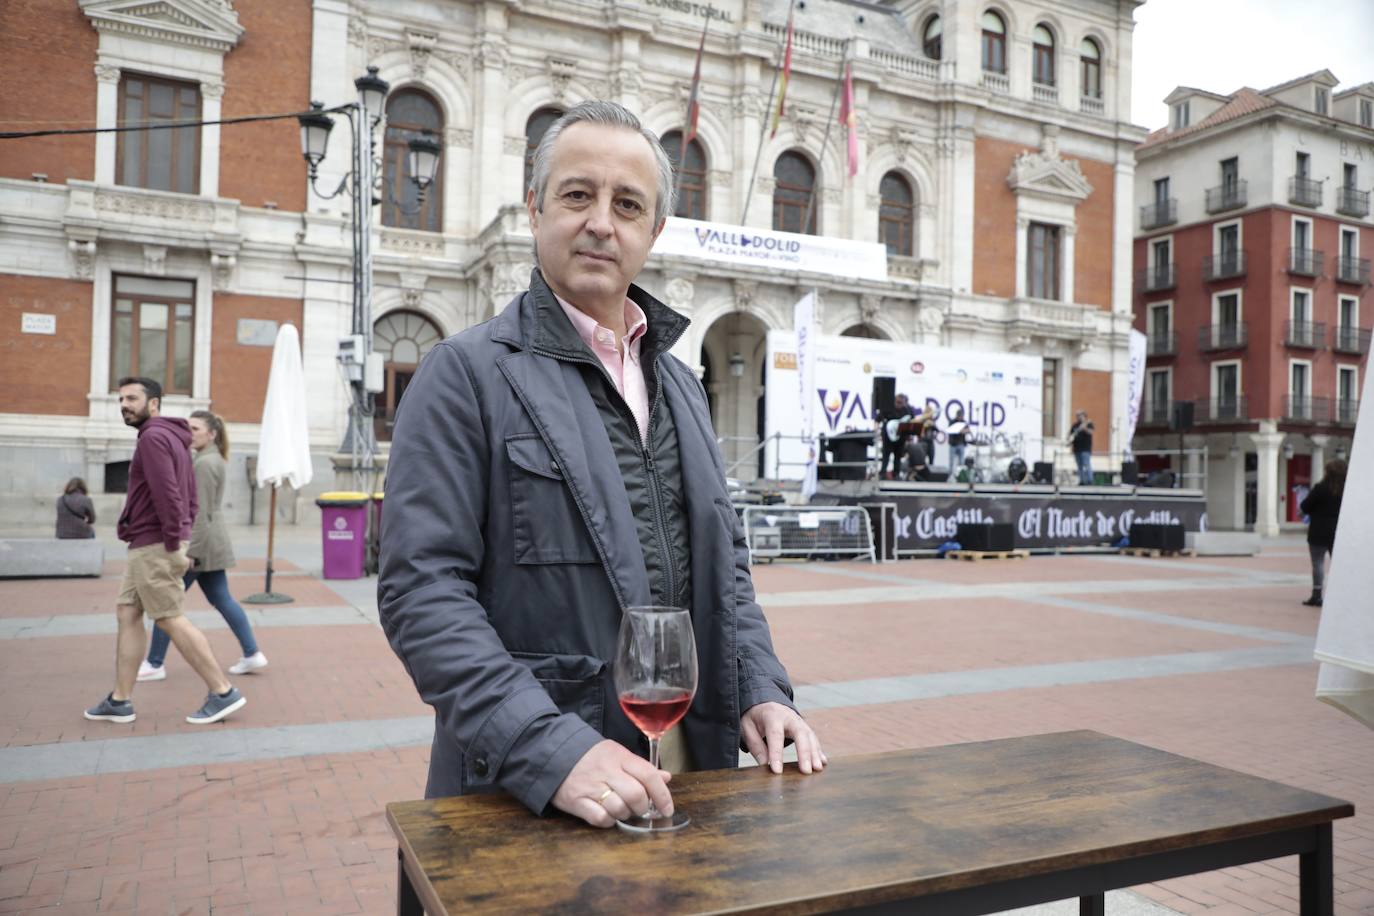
{"x":925,"y":521}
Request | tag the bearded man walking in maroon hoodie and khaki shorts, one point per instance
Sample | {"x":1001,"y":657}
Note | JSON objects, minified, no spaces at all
{"x":157,"y":527}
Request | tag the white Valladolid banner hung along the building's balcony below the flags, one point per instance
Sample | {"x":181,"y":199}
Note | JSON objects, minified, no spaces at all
{"x":774,"y":251}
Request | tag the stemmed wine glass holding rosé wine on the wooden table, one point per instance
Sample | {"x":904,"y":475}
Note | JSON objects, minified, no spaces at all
{"x":656,"y":679}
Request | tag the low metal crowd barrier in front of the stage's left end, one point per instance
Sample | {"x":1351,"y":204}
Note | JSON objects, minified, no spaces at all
{"x":774,"y":532}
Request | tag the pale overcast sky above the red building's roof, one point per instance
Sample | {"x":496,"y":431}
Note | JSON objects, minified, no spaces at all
{"x":1222,"y":46}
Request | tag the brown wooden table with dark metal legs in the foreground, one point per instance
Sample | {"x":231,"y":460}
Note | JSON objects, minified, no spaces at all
{"x":967,"y":829}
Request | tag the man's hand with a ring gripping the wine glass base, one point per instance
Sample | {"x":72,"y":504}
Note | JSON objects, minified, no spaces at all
{"x":630,"y":778}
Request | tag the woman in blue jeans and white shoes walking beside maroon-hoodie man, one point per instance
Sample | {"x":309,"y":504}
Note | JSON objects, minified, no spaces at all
{"x":211,"y":551}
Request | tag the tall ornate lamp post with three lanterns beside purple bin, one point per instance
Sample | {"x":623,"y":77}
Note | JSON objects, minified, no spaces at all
{"x":366,"y":189}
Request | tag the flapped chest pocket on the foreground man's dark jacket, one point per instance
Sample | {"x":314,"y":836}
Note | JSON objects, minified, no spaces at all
{"x":546,"y":524}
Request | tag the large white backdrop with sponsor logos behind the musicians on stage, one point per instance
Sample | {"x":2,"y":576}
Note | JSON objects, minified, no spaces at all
{"x":1000,"y":393}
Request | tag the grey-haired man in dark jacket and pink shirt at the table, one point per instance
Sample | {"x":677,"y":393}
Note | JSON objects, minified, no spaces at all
{"x":552,"y":468}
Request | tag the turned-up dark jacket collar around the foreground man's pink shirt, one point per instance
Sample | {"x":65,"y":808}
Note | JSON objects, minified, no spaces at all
{"x":537,"y":322}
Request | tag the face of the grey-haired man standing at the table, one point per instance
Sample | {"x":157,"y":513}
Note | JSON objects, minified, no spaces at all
{"x":597,"y":225}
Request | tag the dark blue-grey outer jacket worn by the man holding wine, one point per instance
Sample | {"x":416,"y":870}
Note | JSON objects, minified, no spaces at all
{"x":509,"y":550}
